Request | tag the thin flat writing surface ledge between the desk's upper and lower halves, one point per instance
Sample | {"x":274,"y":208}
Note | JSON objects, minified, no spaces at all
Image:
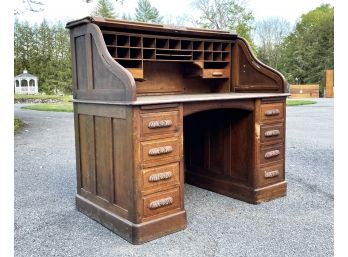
{"x":182,"y":98}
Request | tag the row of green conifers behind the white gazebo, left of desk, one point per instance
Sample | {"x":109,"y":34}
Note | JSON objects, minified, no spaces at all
{"x":45,"y":52}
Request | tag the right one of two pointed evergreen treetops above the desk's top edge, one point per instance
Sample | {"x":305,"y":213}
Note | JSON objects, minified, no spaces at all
{"x":147,"y":13}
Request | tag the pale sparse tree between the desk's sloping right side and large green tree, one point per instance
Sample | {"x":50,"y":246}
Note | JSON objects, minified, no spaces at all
{"x":269,"y":34}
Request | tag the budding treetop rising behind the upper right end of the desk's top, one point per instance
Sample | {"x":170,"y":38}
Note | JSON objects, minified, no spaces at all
{"x":227,"y":15}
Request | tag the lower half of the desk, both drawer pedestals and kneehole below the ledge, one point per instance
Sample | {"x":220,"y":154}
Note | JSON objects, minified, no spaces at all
{"x":131,"y":159}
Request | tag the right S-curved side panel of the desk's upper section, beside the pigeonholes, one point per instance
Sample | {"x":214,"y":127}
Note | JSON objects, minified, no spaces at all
{"x":251,"y":75}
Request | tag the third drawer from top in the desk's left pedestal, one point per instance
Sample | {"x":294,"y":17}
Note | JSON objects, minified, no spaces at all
{"x":166,"y":175}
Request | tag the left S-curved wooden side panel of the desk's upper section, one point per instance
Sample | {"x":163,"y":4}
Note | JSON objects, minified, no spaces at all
{"x":96,"y":75}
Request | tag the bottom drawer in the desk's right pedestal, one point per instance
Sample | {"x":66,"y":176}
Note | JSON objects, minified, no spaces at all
{"x":271,"y":174}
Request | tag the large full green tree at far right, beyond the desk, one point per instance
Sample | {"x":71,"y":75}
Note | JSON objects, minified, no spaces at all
{"x":309,"y":50}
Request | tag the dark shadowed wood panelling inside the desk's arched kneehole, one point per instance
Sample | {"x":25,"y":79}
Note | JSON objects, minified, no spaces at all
{"x":219,"y":142}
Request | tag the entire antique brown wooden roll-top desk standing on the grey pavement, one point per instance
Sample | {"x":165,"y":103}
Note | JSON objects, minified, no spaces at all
{"x":156,"y":106}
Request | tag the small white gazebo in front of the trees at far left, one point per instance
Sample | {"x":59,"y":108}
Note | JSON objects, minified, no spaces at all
{"x":26,"y":83}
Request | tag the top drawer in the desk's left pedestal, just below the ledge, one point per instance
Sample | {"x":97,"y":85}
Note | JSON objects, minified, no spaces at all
{"x":159,"y":122}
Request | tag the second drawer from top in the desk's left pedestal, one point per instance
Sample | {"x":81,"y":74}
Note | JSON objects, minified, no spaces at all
{"x":167,"y":149}
